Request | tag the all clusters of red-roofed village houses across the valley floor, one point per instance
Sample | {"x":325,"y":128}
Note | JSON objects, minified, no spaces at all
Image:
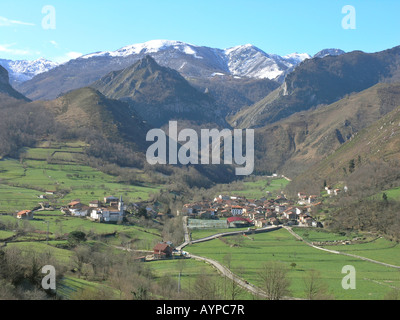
{"x":229,"y":211}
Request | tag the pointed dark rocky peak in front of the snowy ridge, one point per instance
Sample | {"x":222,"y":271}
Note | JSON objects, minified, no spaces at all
{"x":159,"y":94}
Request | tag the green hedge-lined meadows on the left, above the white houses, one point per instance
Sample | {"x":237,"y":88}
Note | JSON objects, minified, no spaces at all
{"x":21,"y":182}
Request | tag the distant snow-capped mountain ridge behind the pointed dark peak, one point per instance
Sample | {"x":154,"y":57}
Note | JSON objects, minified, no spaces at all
{"x":188,"y":60}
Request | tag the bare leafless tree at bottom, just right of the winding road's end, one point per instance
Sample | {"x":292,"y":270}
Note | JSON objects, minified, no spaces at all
{"x":275,"y":281}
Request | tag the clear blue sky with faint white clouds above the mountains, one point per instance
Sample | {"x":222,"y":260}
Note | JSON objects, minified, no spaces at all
{"x":279,"y":27}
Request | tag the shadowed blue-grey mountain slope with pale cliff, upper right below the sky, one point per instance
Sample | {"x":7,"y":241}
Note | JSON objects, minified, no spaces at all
{"x":321,"y":81}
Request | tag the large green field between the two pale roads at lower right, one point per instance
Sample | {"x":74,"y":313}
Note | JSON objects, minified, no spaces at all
{"x":373,"y":281}
